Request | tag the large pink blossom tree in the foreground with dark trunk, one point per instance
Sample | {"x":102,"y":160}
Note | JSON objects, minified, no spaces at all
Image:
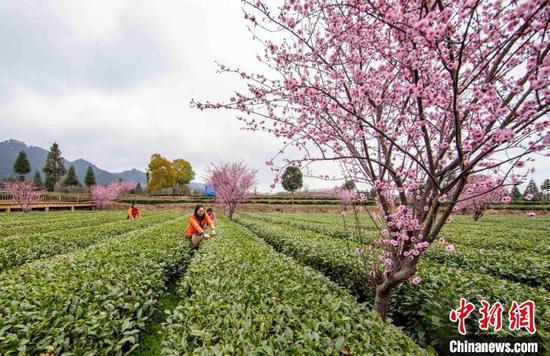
{"x":410,"y":97}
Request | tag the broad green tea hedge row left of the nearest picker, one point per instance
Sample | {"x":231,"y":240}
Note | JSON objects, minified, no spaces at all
{"x":94,"y":301}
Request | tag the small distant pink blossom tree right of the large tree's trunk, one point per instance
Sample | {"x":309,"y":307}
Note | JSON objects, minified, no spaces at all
{"x":479,"y":193}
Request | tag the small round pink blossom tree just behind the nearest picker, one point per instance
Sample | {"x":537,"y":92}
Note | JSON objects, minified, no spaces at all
{"x":232,"y":183}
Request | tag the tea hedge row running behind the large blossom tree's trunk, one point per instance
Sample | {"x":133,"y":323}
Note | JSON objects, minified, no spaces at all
{"x":422,"y":309}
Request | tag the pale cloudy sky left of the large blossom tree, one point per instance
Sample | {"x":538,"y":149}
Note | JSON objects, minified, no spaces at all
{"x":111,"y":81}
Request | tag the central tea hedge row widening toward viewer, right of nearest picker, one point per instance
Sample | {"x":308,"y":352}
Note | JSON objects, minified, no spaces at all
{"x":242,"y":297}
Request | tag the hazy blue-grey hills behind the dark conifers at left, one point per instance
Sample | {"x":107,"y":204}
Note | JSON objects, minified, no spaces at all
{"x":9,"y":150}
